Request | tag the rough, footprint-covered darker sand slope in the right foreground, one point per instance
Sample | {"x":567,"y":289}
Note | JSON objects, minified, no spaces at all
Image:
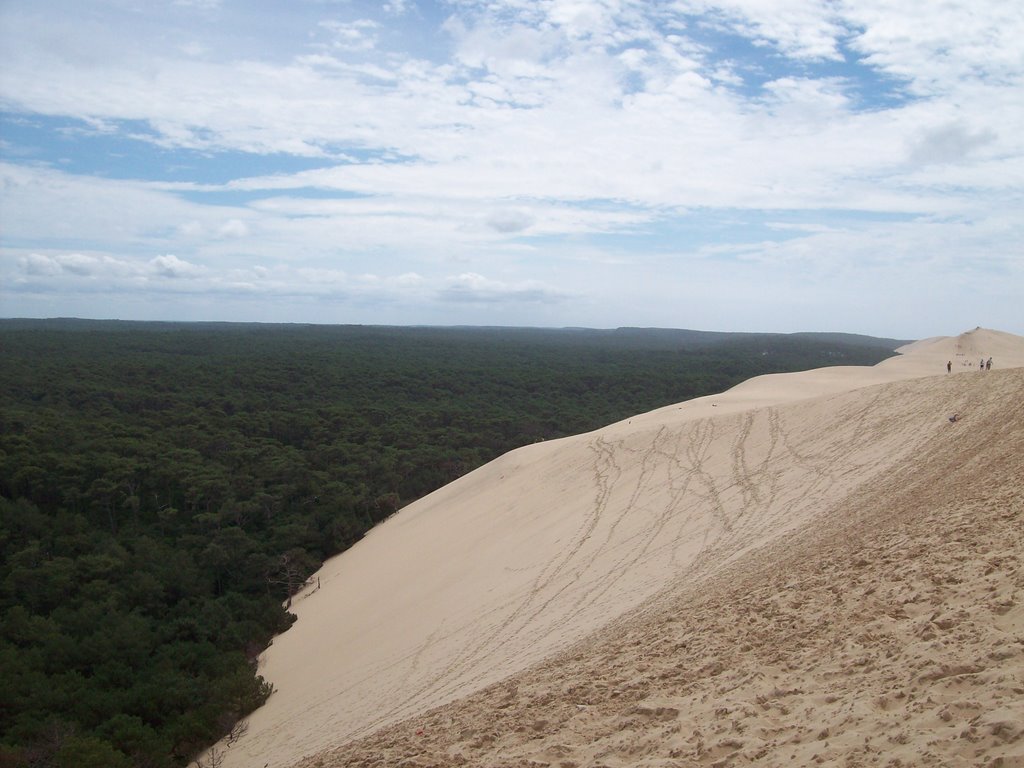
{"x":890,"y":632}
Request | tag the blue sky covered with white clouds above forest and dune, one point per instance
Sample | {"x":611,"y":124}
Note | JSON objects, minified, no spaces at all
{"x":750,"y":165}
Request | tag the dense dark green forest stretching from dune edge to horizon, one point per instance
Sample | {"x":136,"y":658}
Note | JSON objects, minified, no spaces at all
{"x":166,"y":488}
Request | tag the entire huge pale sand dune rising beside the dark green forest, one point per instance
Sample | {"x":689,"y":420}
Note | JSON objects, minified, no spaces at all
{"x":810,"y":568}
